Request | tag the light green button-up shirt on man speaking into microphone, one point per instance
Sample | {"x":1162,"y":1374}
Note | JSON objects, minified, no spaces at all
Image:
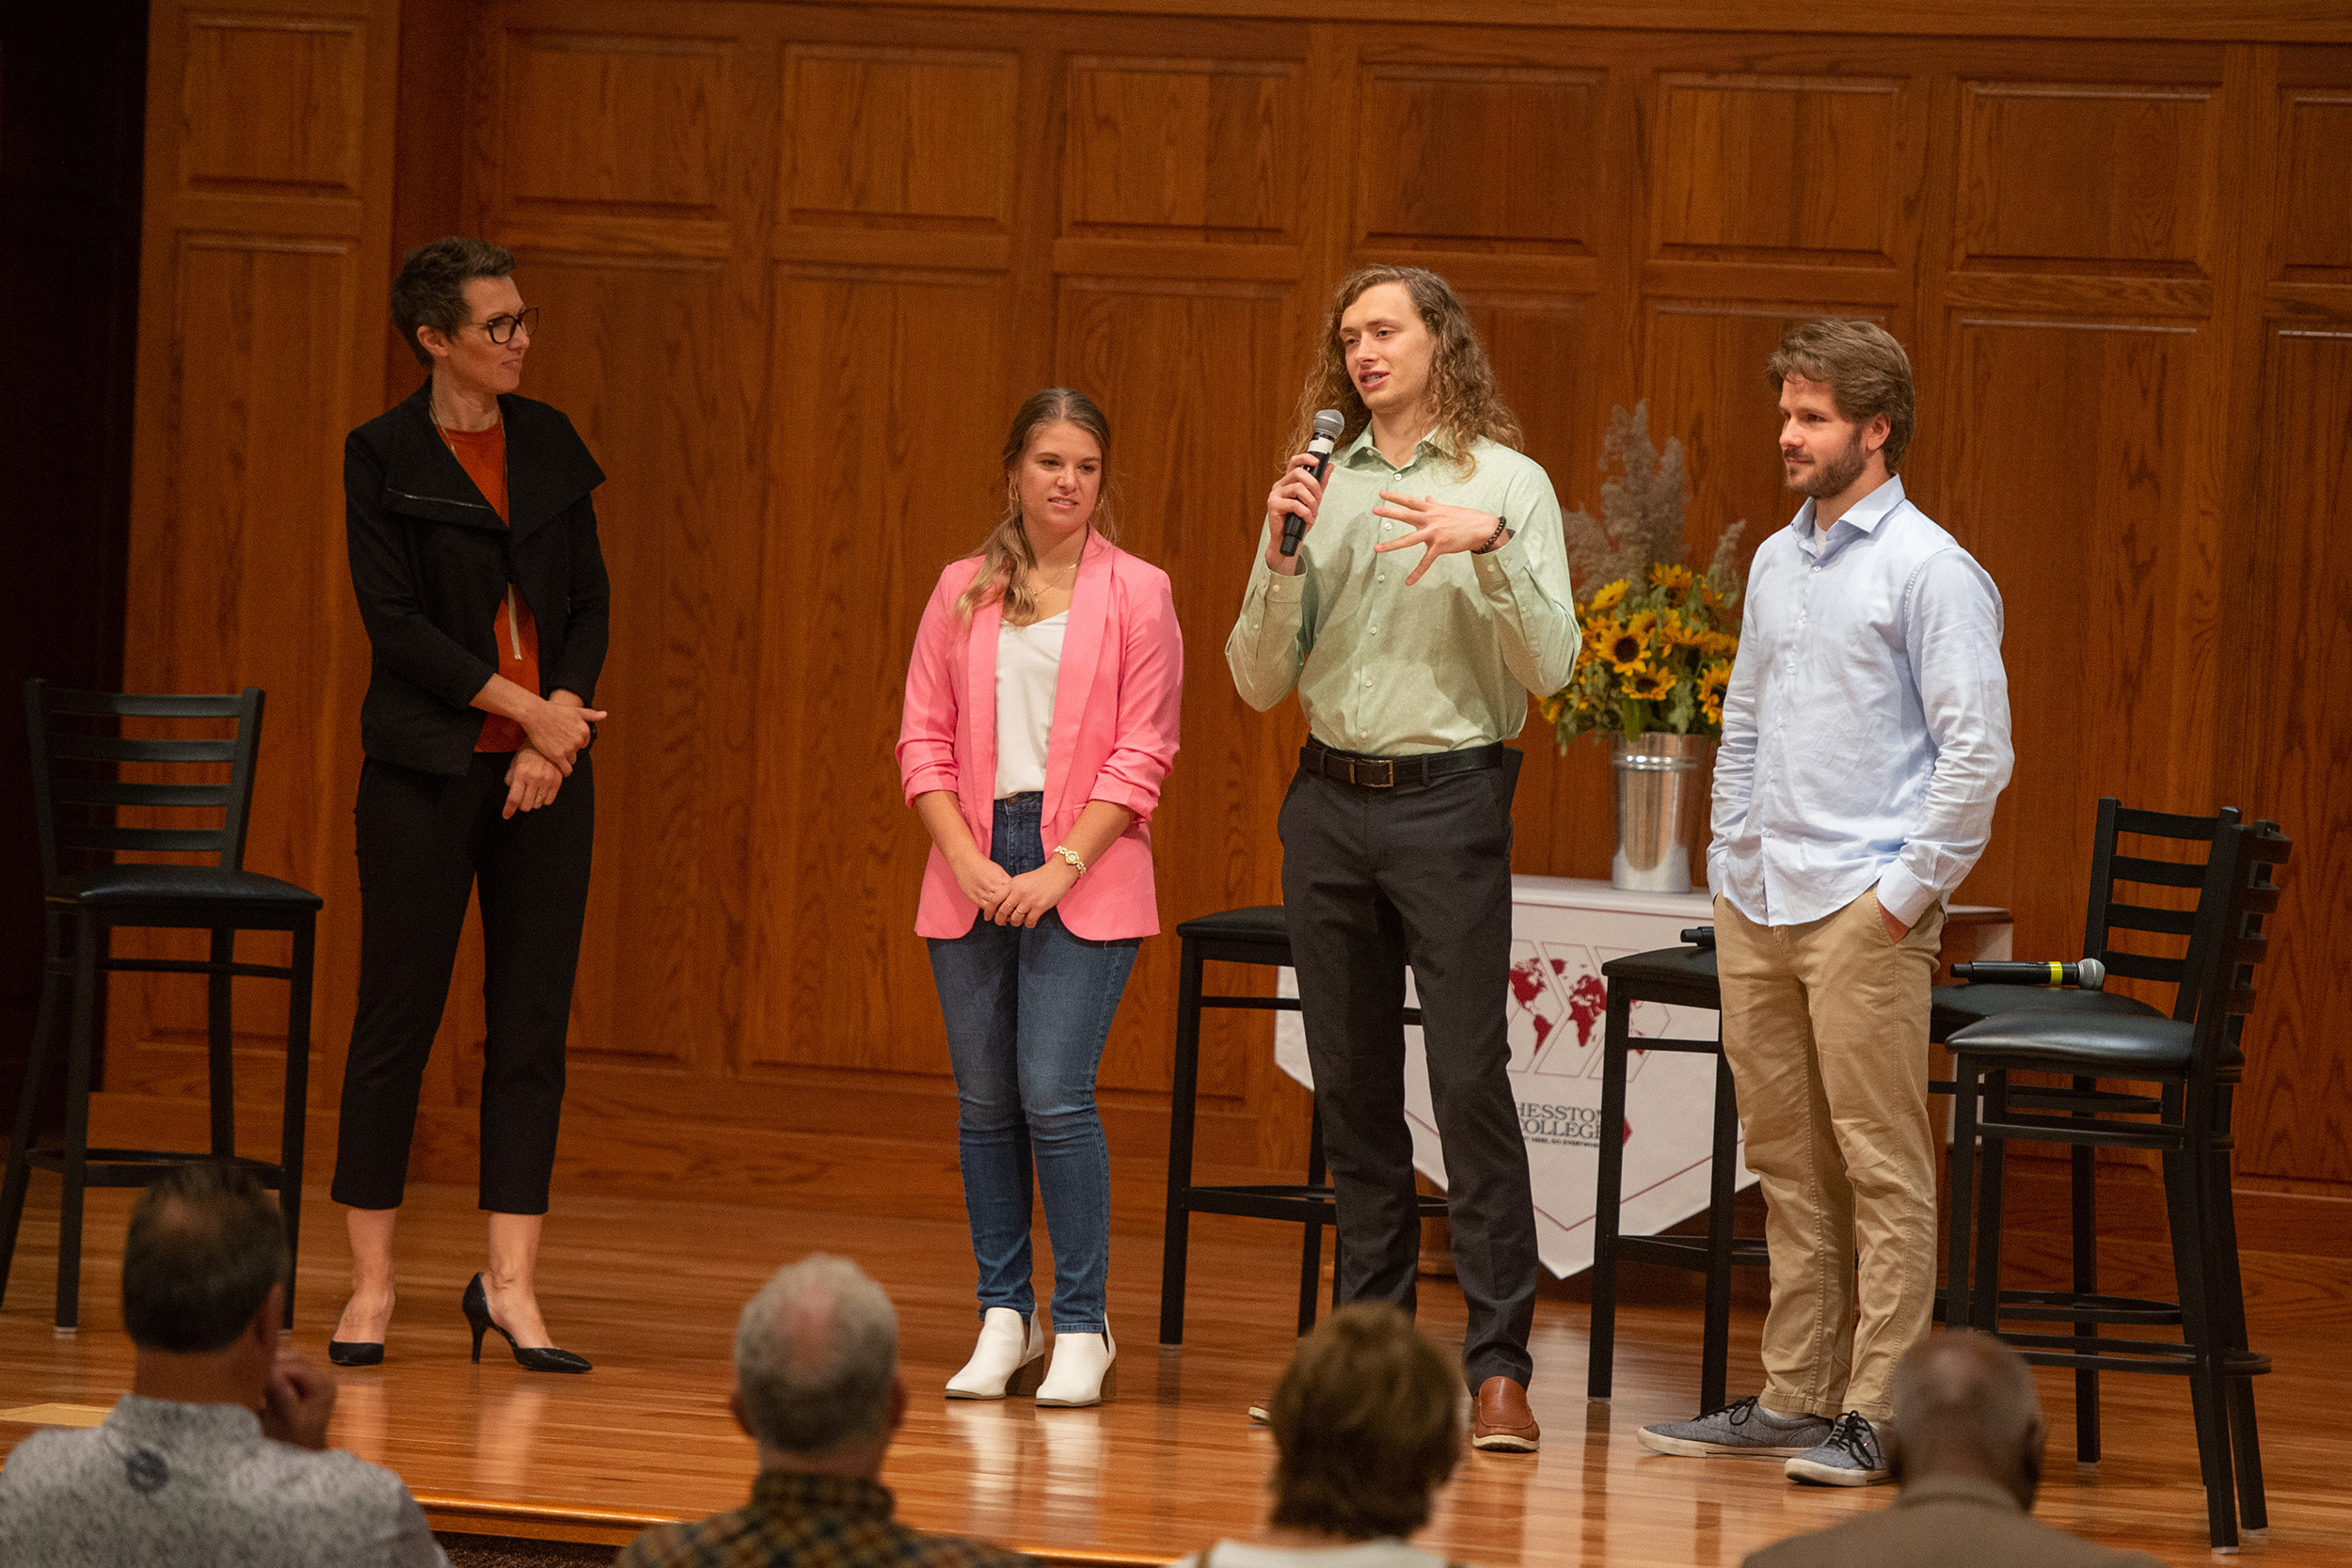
{"x":1429,"y":669}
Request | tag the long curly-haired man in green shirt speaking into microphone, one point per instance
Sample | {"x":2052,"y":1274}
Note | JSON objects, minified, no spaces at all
{"x":1426,"y":601}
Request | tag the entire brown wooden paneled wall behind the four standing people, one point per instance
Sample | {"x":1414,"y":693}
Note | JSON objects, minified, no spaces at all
{"x":801,"y":262}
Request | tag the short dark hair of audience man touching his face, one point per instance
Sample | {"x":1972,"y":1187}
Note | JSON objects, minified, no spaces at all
{"x":203,"y":1254}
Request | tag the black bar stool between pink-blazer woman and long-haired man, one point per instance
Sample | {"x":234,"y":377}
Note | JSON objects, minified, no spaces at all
{"x":1238,"y":937}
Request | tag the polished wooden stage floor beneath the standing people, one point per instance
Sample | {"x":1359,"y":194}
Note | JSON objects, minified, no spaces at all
{"x":650,"y":1292}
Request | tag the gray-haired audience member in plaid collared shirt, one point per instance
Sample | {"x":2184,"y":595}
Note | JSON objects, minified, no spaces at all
{"x":820,"y":1391}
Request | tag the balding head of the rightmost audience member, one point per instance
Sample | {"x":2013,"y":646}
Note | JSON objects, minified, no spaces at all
{"x":1965,"y":1407}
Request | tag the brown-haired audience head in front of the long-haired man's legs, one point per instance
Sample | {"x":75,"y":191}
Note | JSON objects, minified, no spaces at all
{"x":1370,"y":1426}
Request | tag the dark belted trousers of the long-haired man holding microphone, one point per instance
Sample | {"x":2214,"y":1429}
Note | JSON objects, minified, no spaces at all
{"x":1375,"y":880}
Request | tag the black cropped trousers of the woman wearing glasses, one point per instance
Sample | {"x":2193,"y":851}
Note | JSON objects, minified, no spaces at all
{"x":425,"y":843}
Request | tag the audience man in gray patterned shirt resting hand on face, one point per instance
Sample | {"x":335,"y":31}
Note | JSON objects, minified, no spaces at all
{"x":220,"y":1452}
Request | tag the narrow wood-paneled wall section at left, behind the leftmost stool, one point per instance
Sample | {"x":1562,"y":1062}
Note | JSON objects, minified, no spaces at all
{"x":267,"y":217}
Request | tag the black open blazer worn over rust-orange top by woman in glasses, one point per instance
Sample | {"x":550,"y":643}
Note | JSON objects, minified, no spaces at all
{"x":432,"y":563}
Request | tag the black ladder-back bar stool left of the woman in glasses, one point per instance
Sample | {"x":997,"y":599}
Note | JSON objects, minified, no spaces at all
{"x":86,"y":904}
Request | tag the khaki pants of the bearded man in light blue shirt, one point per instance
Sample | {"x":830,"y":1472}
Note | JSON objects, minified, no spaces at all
{"x":1826,"y":1036}
